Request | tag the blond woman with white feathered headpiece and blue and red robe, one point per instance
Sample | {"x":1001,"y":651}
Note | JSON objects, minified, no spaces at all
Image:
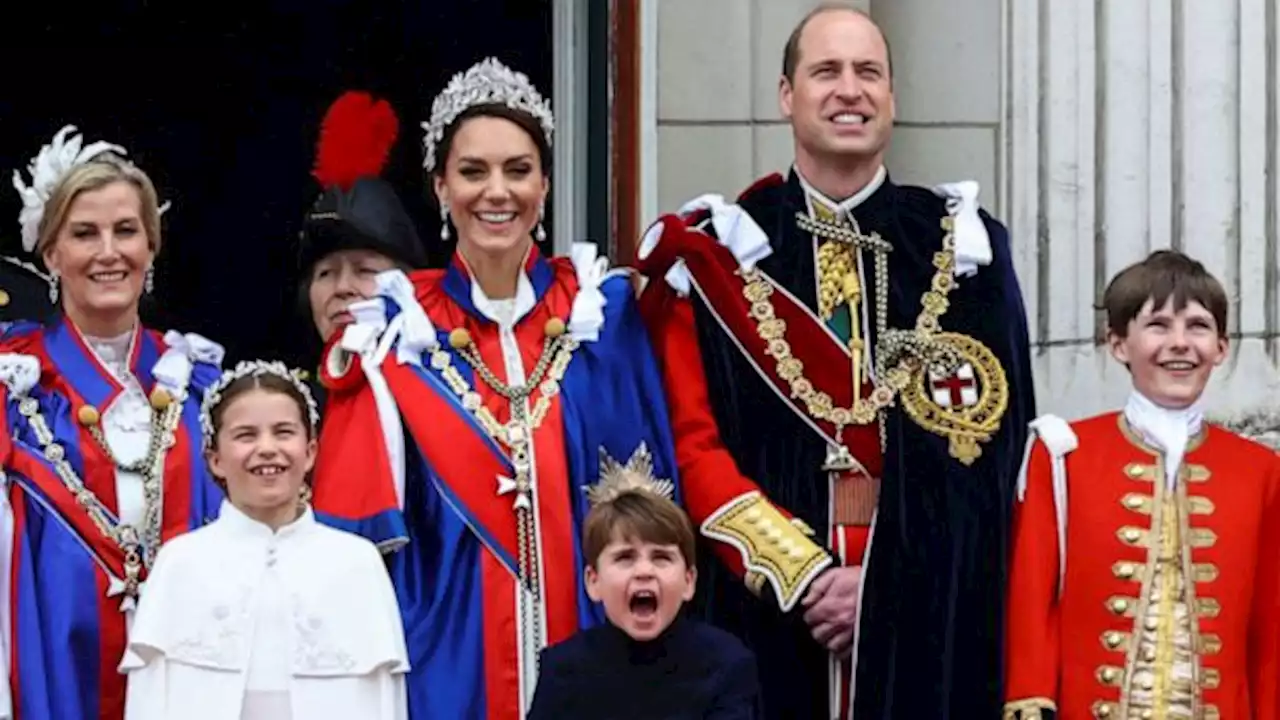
{"x":104,"y":414}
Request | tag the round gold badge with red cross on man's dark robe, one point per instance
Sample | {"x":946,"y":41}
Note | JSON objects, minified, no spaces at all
{"x":963,"y":404}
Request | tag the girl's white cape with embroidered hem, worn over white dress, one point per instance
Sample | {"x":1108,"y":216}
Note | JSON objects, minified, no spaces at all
{"x":195,"y":631}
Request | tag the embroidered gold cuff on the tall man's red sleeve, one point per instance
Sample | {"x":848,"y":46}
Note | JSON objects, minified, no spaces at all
{"x":770,"y":544}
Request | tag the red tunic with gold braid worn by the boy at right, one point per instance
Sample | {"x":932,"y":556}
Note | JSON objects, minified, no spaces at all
{"x":1109,"y":635}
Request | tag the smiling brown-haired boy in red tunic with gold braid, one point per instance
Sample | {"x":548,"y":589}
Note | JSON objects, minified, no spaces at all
{"x":1145,"y":577}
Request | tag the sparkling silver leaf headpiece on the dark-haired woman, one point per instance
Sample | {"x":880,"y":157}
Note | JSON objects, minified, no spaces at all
{"x":486,"y":83}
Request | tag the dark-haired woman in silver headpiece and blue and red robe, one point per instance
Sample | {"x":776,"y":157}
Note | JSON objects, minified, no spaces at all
{"x":469,"y":409}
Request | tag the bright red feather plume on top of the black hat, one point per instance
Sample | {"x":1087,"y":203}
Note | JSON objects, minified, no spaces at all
{"x":356,"y":138}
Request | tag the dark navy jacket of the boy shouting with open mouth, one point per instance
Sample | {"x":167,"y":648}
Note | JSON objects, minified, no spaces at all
{"x":692,"y":672}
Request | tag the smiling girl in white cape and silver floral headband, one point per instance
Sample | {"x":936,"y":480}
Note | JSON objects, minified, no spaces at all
{"x":300,"y":621}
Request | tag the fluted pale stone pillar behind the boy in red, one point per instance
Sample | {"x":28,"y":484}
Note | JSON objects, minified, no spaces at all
{"x":1130,"y":127}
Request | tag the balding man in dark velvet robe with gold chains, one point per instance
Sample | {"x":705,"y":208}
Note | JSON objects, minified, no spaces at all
{"x":849,"y":356}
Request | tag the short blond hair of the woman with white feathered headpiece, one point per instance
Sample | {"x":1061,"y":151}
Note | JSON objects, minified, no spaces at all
{"x":98,"y":174}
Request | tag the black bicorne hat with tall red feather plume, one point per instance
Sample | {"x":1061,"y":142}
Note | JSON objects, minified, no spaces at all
{"x":358,"y":209}
